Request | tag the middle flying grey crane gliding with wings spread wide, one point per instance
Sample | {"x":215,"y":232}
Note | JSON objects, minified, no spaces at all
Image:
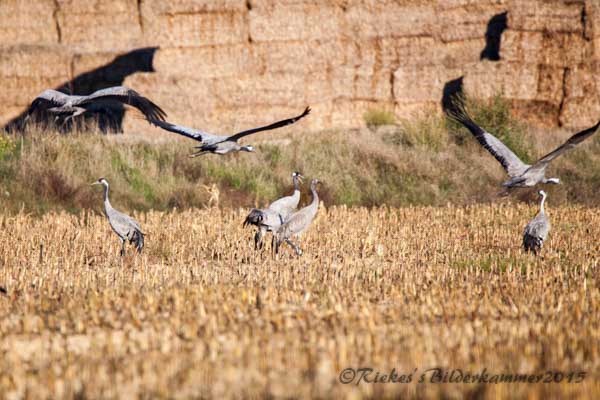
{"x":223,"y":144}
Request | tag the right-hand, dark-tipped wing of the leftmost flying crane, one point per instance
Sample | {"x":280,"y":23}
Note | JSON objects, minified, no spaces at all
{"x":122,"y":94}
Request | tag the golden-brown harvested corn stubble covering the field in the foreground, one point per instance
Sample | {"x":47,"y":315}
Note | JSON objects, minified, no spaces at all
{"x":201,"y":314}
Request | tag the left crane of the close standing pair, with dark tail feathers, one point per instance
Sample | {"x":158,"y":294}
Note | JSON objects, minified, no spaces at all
{"x":270,"y":219}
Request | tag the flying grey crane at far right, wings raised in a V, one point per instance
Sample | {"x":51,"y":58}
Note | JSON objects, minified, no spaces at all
{"x":520,"y":174}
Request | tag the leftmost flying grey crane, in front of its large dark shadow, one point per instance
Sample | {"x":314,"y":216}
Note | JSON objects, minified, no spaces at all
{"x":67,"y":106}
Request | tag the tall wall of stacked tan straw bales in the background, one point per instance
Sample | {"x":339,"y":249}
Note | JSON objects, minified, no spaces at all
{"x":231,"y":63}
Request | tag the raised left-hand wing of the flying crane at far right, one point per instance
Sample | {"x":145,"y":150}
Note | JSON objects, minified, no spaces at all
{"x":509,"y":160}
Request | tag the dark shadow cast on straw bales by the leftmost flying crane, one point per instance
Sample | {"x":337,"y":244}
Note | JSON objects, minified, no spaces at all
{"x":108,"y":120}
